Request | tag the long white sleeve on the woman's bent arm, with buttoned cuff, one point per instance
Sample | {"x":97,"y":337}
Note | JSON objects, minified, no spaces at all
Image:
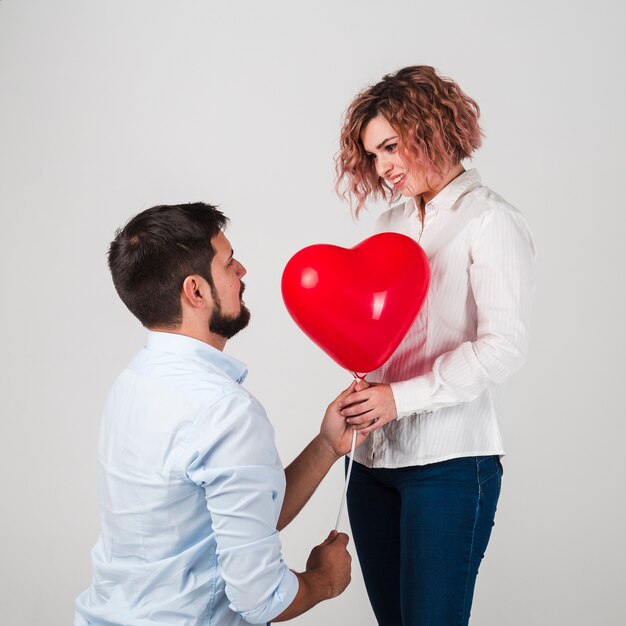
{"x":501,"y":274}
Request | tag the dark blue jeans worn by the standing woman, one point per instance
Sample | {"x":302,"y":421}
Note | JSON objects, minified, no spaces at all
{"x":420,"y":533}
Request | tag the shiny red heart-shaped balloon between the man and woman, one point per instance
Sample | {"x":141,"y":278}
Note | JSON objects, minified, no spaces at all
{"x":358,"y":303}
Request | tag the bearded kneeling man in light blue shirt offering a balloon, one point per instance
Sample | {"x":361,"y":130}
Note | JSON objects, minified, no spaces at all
{"x":192,"y":490}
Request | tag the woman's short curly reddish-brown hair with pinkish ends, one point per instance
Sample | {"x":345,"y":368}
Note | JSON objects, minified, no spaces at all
{"x":437,"y":124}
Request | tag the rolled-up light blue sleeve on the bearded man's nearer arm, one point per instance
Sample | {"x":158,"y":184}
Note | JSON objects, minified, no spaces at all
{"x":234,"y":458}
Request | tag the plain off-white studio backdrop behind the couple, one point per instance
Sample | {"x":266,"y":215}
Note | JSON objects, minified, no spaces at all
{"x":109,"y":107}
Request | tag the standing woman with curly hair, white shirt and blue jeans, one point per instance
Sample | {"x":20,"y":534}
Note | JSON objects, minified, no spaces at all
{"x":425,"y":483}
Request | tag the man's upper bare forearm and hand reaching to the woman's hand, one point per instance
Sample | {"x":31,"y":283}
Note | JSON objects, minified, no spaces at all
{"x":308,"y":469}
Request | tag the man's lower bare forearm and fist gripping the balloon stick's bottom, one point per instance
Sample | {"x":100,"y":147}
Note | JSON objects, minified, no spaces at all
{"x":328,"y":573}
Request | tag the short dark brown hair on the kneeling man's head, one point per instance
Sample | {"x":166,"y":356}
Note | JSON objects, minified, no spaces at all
{"x":152,"y":255}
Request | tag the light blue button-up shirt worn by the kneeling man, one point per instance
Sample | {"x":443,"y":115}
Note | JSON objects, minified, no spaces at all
{"x":191,"y":489}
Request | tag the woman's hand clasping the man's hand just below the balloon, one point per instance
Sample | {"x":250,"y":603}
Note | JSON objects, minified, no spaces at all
{"x":369,"y":409}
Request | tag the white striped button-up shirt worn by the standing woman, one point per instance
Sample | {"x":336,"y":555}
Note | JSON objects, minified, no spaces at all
{"x":471,"y":334}
